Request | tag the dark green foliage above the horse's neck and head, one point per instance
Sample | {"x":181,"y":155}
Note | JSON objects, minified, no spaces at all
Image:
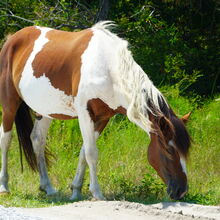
{"x":175,"y":43}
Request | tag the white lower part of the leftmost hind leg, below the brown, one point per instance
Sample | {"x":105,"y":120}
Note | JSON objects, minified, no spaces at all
{"x":5,"y":139}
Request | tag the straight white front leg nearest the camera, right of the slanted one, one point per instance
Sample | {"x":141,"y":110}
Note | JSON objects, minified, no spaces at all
{"x":90,"y":151}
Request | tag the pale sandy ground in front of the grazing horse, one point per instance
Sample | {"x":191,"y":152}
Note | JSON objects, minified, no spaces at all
{"x":122,"y":210}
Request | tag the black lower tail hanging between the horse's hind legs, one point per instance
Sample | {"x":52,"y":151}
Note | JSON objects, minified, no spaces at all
{"x":24,"y":126}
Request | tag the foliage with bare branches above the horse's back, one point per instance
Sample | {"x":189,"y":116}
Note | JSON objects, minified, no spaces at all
{"x":65,"y":14}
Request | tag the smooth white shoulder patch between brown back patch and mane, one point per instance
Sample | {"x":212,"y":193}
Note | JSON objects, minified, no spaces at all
{"x":95,"y":81}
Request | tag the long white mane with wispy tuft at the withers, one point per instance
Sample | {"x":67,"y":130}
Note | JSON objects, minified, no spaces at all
{"x":133,"y":81}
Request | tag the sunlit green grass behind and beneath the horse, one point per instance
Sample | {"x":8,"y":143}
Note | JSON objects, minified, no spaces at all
{"x":123,"y":169}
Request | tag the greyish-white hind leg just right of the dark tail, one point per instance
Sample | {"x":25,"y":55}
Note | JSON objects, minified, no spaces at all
{"x":38,"y":138}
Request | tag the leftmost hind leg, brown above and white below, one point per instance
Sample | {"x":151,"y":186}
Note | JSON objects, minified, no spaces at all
{"x":5,"y":140}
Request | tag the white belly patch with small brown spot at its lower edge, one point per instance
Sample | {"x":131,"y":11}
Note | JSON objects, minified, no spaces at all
{"x":46,"y":100}
